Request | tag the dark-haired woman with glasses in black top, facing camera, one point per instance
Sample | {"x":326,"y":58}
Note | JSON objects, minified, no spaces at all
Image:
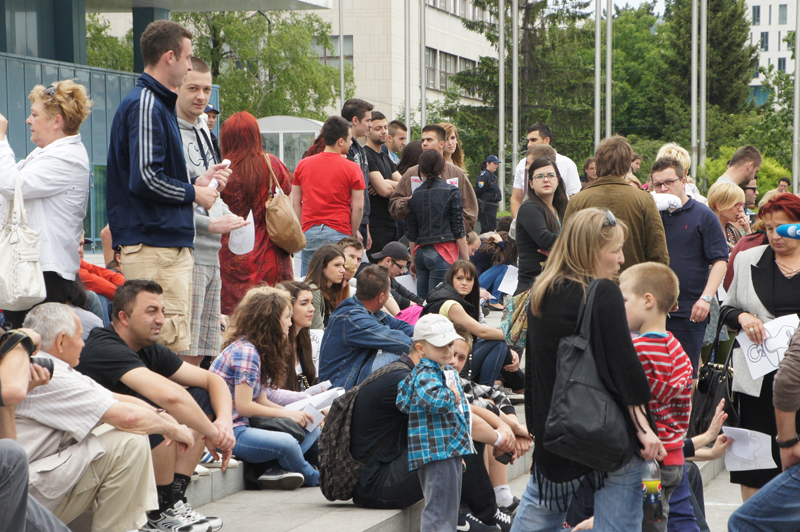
{"x":539,"y":219}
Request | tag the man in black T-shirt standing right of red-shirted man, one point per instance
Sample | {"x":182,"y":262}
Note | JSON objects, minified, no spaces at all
{"x":383,"y":178}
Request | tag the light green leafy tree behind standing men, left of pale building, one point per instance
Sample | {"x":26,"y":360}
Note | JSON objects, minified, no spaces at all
{"x":267,"y":64}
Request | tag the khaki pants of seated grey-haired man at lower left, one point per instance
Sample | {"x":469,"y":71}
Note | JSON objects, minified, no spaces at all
{"x":121,"y":482}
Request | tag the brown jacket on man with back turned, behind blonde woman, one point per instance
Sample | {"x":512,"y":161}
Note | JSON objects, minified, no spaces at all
{"x":646,"y":240}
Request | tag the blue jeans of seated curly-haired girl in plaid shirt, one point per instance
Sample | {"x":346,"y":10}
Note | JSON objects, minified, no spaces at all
{"x":258,"y":446}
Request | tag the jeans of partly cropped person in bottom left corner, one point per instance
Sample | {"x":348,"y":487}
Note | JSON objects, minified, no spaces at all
{"x":21,"y":512}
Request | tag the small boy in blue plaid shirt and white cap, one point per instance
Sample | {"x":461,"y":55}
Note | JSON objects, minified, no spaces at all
{"x":438,"y":422}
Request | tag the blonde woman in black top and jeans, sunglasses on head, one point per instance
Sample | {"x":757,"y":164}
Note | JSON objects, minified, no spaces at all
{"x":590,"y":247}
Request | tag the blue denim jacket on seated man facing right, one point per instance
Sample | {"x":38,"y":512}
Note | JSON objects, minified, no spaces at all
{"x":352,"y":339}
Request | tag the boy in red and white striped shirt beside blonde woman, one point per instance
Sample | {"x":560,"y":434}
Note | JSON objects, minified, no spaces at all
{"x":650,"y":291}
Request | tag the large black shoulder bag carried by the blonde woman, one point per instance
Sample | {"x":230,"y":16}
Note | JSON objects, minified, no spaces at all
{"x":585,"y":424}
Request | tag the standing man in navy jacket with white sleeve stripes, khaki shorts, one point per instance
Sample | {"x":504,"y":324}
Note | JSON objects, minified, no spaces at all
{"x":149,"y":195}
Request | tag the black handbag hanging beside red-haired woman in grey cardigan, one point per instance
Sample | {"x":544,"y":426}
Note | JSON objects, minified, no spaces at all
{"x":714,"y":384}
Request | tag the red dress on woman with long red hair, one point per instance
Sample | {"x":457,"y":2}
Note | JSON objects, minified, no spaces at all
{"x":267,"y":263}
